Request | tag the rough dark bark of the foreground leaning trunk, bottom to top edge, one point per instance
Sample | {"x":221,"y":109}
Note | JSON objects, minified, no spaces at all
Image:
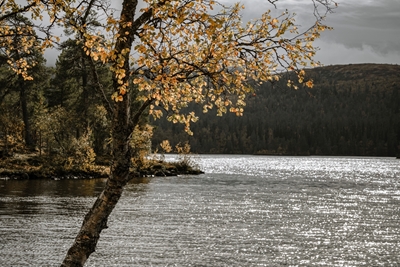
{"x":96,"y":219}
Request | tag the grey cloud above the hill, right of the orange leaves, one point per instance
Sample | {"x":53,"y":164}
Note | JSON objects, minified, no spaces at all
{"x":367,"y":30}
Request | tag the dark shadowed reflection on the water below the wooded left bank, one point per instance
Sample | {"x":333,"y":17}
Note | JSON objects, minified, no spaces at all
{"x":34,"y":196}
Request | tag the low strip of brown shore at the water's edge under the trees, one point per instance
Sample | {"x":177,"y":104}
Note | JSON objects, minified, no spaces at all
{"x":32,"y":166}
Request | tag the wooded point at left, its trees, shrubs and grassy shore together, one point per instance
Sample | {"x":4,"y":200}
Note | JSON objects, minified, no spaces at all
{"x":59,"y":126}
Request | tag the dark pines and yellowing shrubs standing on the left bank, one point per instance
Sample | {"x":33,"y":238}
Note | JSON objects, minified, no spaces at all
{"x":61,"y":113}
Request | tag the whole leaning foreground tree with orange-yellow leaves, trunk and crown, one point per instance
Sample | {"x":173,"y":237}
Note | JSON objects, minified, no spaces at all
{"x":171,"y":53}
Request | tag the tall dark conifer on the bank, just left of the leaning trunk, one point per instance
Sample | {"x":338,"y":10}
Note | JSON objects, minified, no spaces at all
{"x":73,"y":89}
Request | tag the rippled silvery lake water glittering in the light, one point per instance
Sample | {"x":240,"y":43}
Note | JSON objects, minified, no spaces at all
{"x":244,"y":211}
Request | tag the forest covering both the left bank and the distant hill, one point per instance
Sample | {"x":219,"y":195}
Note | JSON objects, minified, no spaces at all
{"x":351,"y":110}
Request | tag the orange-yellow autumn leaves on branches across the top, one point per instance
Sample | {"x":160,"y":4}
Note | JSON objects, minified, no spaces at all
{"x":175,"y":52}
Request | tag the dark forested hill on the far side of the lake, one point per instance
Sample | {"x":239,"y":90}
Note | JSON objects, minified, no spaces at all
{"x":352,"y":110}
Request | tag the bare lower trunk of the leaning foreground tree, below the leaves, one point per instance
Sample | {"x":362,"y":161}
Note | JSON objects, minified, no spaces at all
{"x":96,"y":219}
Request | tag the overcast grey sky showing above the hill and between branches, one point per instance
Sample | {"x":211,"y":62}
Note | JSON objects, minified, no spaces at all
{"x":365,"y":31}
